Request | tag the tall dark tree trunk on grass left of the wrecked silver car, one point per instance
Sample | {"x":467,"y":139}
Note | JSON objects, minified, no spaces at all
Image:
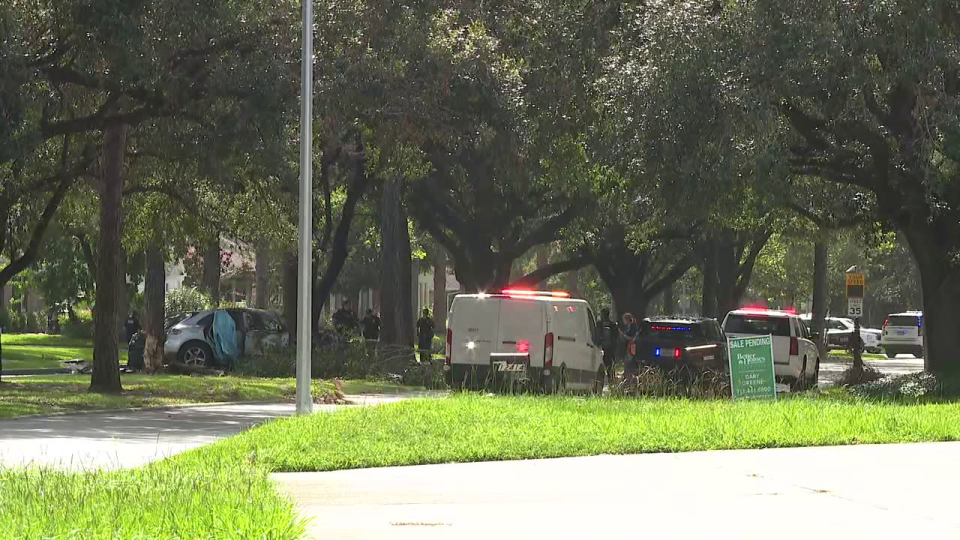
{"x":110,"y":274}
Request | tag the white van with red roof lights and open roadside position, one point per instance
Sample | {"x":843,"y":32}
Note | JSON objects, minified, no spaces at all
{"x":546,"y":340}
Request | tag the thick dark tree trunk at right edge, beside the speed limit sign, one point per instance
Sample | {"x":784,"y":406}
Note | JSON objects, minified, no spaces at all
{"x":940,"y":282}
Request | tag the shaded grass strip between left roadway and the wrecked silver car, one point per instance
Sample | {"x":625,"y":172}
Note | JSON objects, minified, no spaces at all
{"x":67,"y":393}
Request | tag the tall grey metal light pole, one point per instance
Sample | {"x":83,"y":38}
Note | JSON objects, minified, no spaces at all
{"x":304,"y":287}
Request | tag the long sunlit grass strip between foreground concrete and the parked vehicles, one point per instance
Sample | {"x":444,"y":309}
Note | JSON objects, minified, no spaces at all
{"x":476,"y":428}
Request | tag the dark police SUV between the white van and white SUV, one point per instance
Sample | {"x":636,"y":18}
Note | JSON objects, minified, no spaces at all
{"x":689,"y":345}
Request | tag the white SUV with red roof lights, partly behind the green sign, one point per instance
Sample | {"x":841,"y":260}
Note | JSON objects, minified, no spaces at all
{"x":796,"y":359}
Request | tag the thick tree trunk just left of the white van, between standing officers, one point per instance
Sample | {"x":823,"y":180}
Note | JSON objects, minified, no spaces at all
{"x":395,"y":276}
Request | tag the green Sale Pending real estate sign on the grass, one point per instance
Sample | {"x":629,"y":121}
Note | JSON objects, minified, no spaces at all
{"x":751,"y":367}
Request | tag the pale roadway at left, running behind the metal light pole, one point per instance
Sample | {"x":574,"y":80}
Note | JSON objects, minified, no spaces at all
{"x":121,"y":439}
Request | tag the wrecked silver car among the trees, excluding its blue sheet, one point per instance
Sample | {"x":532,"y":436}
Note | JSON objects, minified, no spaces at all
{"x":190,"y":340}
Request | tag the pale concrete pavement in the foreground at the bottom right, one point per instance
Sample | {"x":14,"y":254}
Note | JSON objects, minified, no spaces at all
{"x":890,"y":491}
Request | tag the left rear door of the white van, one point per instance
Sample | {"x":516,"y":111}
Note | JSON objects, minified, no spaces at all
{"x":475,"y":324}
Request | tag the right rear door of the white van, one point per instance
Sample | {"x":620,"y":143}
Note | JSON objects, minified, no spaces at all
{"x":522,"y":327}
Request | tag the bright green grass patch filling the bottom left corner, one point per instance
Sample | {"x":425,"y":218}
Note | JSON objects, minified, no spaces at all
{"x":171,"y":500}
